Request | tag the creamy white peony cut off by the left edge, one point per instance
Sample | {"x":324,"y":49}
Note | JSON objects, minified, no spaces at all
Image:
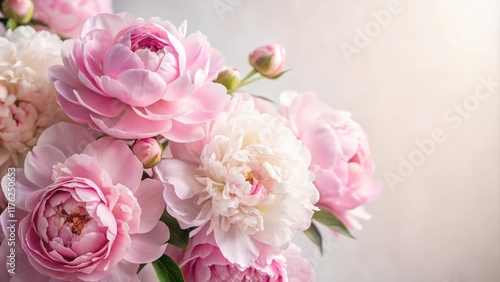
{"x":27,"y":97}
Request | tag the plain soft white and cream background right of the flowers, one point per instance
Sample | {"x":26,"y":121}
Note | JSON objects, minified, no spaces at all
{"x":442,"y":223}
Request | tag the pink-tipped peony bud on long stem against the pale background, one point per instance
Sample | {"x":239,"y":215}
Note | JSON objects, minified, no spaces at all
{"x":268,"y":60}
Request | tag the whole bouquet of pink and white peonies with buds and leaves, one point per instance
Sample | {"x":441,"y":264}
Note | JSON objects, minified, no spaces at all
{"x":130,"y":152}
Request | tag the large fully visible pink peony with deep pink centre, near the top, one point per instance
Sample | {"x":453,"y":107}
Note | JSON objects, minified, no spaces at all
{"x":134,"y":78}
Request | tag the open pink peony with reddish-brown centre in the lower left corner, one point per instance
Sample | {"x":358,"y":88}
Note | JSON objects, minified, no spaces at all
{"x":88,"y":215}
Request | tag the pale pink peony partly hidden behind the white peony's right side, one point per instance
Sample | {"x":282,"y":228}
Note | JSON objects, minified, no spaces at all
{"x":341,"y":158}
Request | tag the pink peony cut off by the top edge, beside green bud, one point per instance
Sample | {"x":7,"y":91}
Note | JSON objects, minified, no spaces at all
{"x":66,"y":17}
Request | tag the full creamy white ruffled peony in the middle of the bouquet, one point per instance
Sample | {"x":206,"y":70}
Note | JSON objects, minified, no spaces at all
{"x":248,"y":180}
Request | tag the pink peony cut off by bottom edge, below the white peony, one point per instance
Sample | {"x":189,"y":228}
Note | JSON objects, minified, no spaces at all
{"x":204,"y":261}
